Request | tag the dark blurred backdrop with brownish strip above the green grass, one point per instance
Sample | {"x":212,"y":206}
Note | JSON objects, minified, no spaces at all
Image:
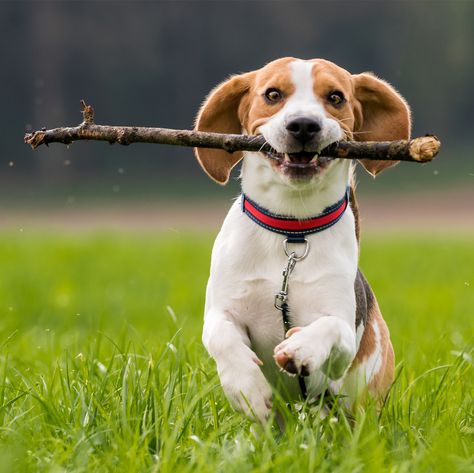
{"x":152,"y":63}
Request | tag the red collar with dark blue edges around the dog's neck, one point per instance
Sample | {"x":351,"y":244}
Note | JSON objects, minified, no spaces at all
{"x":295,"y":229}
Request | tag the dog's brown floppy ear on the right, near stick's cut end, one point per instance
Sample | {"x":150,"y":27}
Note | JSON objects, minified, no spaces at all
{"x":381,"y":115}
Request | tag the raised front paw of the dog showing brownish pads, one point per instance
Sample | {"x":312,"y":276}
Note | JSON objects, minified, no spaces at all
{"x":300,"y":353}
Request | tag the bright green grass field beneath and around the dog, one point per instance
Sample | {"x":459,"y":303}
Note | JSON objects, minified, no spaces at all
{"x":102,"y":368}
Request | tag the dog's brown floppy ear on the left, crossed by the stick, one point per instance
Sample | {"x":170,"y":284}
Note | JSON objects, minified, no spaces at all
{"x":222,"y":112}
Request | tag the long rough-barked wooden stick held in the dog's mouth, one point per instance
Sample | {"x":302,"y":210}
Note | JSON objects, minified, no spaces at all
{"x":420,"y":150}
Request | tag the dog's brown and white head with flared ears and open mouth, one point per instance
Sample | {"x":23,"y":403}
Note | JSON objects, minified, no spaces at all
{"x":300,"y":107}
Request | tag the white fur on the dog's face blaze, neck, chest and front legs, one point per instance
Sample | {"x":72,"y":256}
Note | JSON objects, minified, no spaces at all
{"x":242,"y":328}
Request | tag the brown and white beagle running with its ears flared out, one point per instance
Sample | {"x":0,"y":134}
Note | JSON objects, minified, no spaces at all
{"x":319,"y":322}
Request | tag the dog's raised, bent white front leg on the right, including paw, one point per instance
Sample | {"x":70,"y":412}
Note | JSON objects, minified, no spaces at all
{"x":328,"y":344}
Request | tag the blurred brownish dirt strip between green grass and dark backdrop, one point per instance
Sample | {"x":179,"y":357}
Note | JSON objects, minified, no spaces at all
{"x":433,"y":212}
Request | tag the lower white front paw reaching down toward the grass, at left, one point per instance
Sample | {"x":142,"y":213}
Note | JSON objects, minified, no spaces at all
{"x":248,"y":391}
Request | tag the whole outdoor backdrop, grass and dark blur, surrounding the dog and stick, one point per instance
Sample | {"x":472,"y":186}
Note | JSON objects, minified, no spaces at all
{"x":102,"y":282}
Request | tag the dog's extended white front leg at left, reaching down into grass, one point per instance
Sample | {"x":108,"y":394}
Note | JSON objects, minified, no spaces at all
{"x":238,"y":366}
